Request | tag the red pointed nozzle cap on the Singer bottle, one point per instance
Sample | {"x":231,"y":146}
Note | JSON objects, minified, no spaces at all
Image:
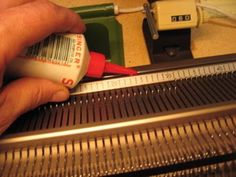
{"x":98,"y":65}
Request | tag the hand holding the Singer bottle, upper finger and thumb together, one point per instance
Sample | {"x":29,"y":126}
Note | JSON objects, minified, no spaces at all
{"x":22,"y":24}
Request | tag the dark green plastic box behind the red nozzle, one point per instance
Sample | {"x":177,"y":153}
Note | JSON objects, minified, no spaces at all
{"x":104,"y":32}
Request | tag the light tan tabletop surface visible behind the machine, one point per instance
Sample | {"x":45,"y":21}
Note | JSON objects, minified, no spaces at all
{"x":208,"y":40}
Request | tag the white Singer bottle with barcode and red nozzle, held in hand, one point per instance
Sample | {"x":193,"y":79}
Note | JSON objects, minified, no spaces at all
{"x":64,"y":59}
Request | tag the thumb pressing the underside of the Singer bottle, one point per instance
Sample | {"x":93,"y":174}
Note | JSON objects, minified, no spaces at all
{"x":26,"y":94}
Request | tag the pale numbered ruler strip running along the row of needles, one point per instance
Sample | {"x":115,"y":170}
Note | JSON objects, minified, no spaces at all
{"x":157,"y":77}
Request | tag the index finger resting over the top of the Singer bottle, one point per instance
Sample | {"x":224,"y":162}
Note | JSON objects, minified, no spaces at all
{"x":25,"y":25}
